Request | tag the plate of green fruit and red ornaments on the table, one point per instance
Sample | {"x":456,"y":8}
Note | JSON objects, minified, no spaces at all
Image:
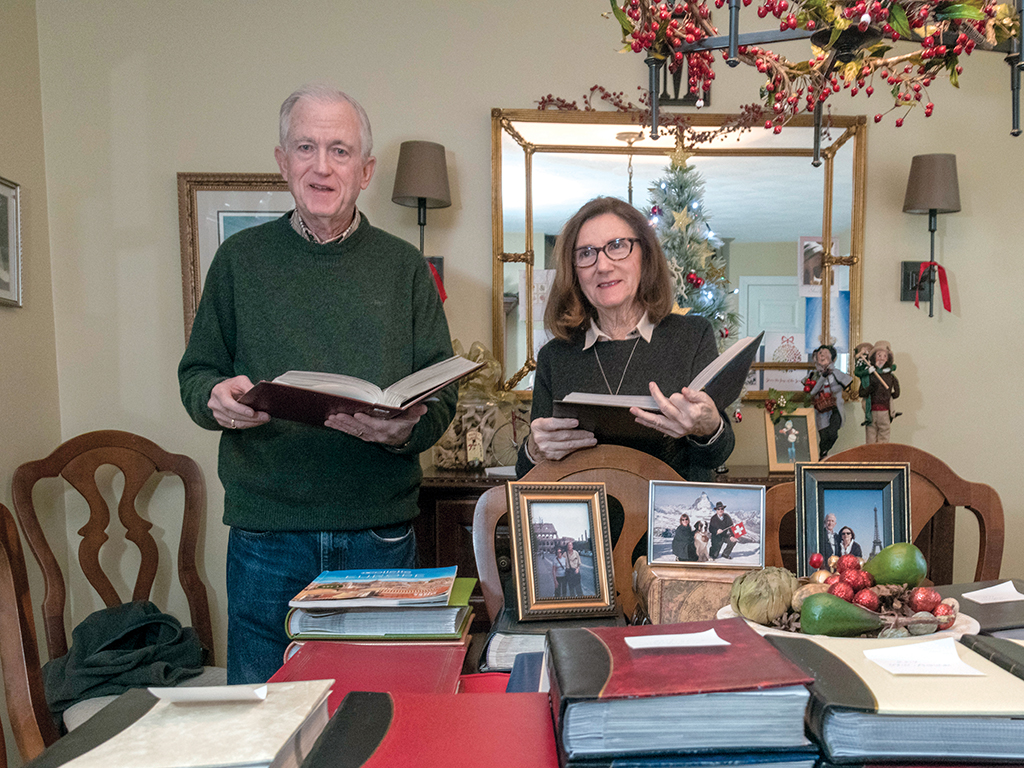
{"x":849,"y":599}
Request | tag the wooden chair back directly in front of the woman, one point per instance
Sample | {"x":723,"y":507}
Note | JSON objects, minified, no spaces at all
{"x":626,"y":474}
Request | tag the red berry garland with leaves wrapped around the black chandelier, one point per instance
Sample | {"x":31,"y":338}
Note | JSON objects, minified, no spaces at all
{"x":852,"y":48}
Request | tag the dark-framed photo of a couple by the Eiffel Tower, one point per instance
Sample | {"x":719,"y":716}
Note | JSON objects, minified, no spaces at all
{"x":857,"y":509}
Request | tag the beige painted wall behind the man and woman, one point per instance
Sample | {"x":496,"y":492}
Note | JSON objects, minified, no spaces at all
{"x":135,"y":93}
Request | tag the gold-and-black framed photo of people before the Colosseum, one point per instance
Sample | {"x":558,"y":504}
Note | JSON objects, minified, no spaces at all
{"x":562,"y":550}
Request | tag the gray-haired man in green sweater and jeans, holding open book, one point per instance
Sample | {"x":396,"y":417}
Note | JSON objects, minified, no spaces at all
{"x":319,"y":289}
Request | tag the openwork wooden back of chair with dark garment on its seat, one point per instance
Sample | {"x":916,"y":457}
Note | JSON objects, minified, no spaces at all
{"x":139,"y":459}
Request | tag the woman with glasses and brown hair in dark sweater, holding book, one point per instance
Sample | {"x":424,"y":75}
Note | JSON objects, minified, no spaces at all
{"x":610,"y":311}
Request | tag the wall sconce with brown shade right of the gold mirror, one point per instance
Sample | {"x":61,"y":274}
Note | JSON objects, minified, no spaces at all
{"x":933,"y":189}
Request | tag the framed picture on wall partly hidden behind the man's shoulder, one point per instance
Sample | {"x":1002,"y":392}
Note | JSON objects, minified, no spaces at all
{"x":211,"y":208}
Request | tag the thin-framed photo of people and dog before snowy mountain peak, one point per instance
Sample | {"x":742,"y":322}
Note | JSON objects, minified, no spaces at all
{"x":694,"y":524}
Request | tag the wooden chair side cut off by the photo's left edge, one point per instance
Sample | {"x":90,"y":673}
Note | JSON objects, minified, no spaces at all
{"x":31,"y":722}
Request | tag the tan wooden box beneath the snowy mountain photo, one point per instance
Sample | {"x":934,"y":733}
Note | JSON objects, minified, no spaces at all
{"x":672,"y":594}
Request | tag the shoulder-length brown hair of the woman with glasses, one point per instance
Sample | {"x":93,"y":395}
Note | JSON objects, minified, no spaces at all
{"x":569,"y":311}
